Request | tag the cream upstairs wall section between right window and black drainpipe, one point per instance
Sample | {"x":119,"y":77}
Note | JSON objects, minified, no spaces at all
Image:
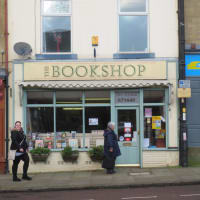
{"x":163,"y":28}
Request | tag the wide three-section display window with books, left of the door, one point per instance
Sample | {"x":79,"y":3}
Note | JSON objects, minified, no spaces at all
{"x":69,"y":121}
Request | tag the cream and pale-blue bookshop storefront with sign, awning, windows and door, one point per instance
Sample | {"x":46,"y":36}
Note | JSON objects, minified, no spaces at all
{"x":69,"y":104}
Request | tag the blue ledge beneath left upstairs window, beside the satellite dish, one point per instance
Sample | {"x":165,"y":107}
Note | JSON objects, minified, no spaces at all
{"x":56,"y":56}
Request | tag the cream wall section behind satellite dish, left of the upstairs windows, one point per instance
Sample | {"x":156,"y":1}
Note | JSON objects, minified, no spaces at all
{"x":21,"y":25}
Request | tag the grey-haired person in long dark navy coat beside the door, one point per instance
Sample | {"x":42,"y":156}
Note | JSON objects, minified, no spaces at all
{"x":111,"y":148}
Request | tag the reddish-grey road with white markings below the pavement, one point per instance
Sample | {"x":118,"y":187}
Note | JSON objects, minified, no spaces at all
{"x":191,"y":192}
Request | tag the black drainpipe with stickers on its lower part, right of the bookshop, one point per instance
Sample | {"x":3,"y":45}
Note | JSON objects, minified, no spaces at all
{"x":183,"y":126}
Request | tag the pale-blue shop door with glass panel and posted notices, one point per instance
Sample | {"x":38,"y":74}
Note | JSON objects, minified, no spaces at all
{"x":127,"y":129}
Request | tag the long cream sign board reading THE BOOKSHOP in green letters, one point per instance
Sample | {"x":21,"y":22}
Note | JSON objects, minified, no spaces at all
{"x":94,"y":70}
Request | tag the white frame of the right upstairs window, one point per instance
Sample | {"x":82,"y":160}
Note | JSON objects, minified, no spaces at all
{"x":146,"y":13}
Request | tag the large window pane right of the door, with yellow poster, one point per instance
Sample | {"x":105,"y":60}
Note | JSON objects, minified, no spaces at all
{"x":154,"y":127}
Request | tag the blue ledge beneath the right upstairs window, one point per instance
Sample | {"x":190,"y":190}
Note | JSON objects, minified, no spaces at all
{"x":133,"y":55}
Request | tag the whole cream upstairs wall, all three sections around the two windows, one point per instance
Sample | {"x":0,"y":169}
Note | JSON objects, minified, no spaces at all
{"x":94,"y":17}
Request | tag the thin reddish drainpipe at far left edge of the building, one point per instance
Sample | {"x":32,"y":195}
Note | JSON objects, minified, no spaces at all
{"x":6,"y":67}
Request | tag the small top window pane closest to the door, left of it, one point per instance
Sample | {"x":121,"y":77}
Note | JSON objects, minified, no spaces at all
{"x":97,"y":96}
